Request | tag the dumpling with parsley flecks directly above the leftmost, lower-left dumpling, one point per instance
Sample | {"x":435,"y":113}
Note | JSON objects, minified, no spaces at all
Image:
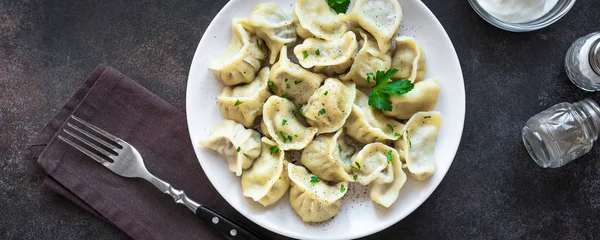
{"x":244,"y":103}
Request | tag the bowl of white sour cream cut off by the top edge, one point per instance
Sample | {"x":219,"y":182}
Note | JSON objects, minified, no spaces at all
{"x":521,"y":15}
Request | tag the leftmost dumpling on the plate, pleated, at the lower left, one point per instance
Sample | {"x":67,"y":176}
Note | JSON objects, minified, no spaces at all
{"x":239,"y":146}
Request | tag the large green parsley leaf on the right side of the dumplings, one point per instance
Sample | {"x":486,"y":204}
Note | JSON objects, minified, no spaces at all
{"x":384,"y":88}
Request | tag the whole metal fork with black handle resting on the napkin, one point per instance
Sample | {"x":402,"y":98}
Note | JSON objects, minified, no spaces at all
{"x":127,"y":162}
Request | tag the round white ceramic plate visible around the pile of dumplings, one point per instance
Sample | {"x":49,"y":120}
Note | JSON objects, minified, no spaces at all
{"x":359,"y":216}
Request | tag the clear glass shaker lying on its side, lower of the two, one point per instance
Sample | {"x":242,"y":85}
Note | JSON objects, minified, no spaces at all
{"x":562,"y":133}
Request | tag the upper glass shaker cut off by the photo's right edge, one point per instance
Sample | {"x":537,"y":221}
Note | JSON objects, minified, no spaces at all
{"x":582,"y":62}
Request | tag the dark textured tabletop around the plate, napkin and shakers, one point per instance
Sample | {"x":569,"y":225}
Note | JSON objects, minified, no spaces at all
{"x":492,"y":190}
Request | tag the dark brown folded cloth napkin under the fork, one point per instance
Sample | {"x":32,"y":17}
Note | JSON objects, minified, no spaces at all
{"x":119,"y":105}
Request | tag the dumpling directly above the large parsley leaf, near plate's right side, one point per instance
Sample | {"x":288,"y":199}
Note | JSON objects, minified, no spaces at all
{"x":409,"y":58}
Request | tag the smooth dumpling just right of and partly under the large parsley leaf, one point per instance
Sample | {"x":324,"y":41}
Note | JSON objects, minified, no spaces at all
{"x":423,"y":97}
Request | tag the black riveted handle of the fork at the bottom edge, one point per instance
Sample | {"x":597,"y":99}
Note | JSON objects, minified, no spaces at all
{"x":227,"y":228}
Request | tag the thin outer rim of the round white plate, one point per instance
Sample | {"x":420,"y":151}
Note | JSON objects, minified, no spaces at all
{"x":395,"y":219}
